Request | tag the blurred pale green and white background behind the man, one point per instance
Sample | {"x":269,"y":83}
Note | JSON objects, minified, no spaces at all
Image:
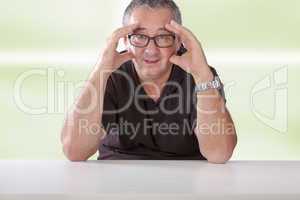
{"x":246,"y":41}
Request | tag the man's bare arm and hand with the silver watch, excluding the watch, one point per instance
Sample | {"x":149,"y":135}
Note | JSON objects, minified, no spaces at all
{"x":216,"y":145}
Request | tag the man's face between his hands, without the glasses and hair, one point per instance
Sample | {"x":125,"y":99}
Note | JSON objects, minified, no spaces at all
{"x":151,"y":61}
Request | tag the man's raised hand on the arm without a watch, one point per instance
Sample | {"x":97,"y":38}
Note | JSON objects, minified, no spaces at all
{"x":110,"y":58}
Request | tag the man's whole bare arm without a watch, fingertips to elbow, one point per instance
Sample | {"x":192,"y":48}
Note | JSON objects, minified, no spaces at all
{"x":82,"y":132}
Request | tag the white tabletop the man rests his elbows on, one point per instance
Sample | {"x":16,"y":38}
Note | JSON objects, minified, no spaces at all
{"x":149,"y":180}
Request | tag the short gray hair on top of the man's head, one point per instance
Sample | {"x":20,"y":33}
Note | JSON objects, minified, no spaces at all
{"x":170,"y":4}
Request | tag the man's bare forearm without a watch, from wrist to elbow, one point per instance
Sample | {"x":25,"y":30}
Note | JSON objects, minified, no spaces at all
{"x":82,"y":131}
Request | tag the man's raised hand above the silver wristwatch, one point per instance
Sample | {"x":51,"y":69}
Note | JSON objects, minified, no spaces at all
{"x":194,"y":60}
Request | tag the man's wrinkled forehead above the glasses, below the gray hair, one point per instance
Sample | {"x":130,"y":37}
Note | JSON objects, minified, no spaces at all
{"x":151,"y":20}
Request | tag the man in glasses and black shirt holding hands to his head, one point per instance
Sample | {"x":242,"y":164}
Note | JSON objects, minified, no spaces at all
{"x":159,"y":99}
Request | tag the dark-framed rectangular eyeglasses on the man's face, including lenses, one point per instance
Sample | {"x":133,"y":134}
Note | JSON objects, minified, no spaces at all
{"x":161,"y":41}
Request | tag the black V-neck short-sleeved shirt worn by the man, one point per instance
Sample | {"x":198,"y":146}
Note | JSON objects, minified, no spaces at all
{"x":140,"y":128}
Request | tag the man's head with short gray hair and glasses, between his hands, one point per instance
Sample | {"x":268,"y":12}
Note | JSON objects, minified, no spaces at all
{"x":152,"y":59}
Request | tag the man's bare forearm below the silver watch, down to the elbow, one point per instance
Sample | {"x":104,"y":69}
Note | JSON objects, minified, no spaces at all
{"x":215,"y":129}
